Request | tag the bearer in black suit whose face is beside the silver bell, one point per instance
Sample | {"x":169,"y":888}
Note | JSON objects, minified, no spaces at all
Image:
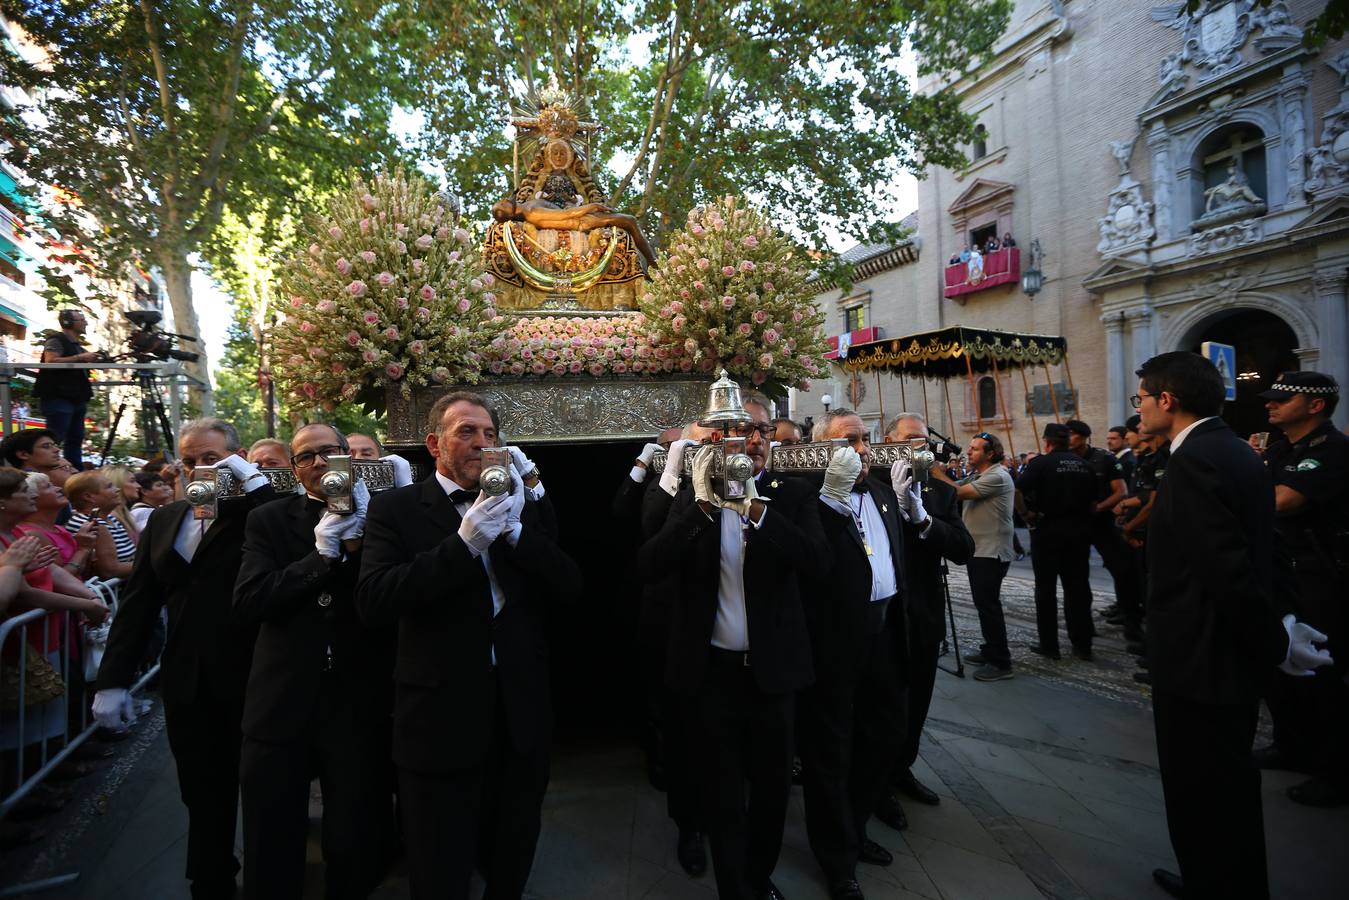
{"x":740,"y":648}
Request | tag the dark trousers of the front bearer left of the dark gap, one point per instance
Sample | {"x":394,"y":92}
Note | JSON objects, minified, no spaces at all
{"x":485,"y":817}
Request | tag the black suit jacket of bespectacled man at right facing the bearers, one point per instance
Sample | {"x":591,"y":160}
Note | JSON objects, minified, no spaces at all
{"x":1213,"y":629}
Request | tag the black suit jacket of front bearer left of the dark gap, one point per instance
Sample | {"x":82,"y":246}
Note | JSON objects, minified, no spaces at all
{"x":418,"y":573}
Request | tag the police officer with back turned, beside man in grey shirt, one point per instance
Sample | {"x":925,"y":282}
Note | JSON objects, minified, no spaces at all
{"x":1057,"y":493}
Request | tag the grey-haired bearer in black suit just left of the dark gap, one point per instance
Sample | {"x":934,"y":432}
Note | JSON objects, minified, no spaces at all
{"x":470,"y":581}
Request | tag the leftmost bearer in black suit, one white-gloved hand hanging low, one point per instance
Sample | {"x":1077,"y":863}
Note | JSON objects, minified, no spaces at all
{"x":190,"y":566}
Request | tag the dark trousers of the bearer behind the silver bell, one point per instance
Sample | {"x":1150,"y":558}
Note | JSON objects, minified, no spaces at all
{"x":744,"y":741}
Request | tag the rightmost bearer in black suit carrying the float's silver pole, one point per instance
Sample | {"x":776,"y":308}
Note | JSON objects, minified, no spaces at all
{"x":934,"y":535}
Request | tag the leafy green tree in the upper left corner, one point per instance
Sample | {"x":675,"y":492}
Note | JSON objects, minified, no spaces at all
{"x":154,"y":114}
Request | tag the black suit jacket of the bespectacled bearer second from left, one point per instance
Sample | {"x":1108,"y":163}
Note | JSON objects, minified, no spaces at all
{"x":310,"y":638}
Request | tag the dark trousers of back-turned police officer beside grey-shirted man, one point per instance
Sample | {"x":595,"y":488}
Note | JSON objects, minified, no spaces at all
{"x":1062,"y":551}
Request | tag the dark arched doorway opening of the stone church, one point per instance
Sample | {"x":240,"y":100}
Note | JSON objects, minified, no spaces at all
{"x":1265,"y":349}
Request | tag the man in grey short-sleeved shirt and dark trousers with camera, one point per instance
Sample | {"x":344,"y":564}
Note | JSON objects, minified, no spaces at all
{"x":988,"y":495}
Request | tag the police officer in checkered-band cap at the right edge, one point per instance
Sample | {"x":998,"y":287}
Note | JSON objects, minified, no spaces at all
{"x":1311,"y":470}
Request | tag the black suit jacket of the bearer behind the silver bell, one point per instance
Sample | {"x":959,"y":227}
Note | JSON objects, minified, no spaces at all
{"x":787,"y":547}
